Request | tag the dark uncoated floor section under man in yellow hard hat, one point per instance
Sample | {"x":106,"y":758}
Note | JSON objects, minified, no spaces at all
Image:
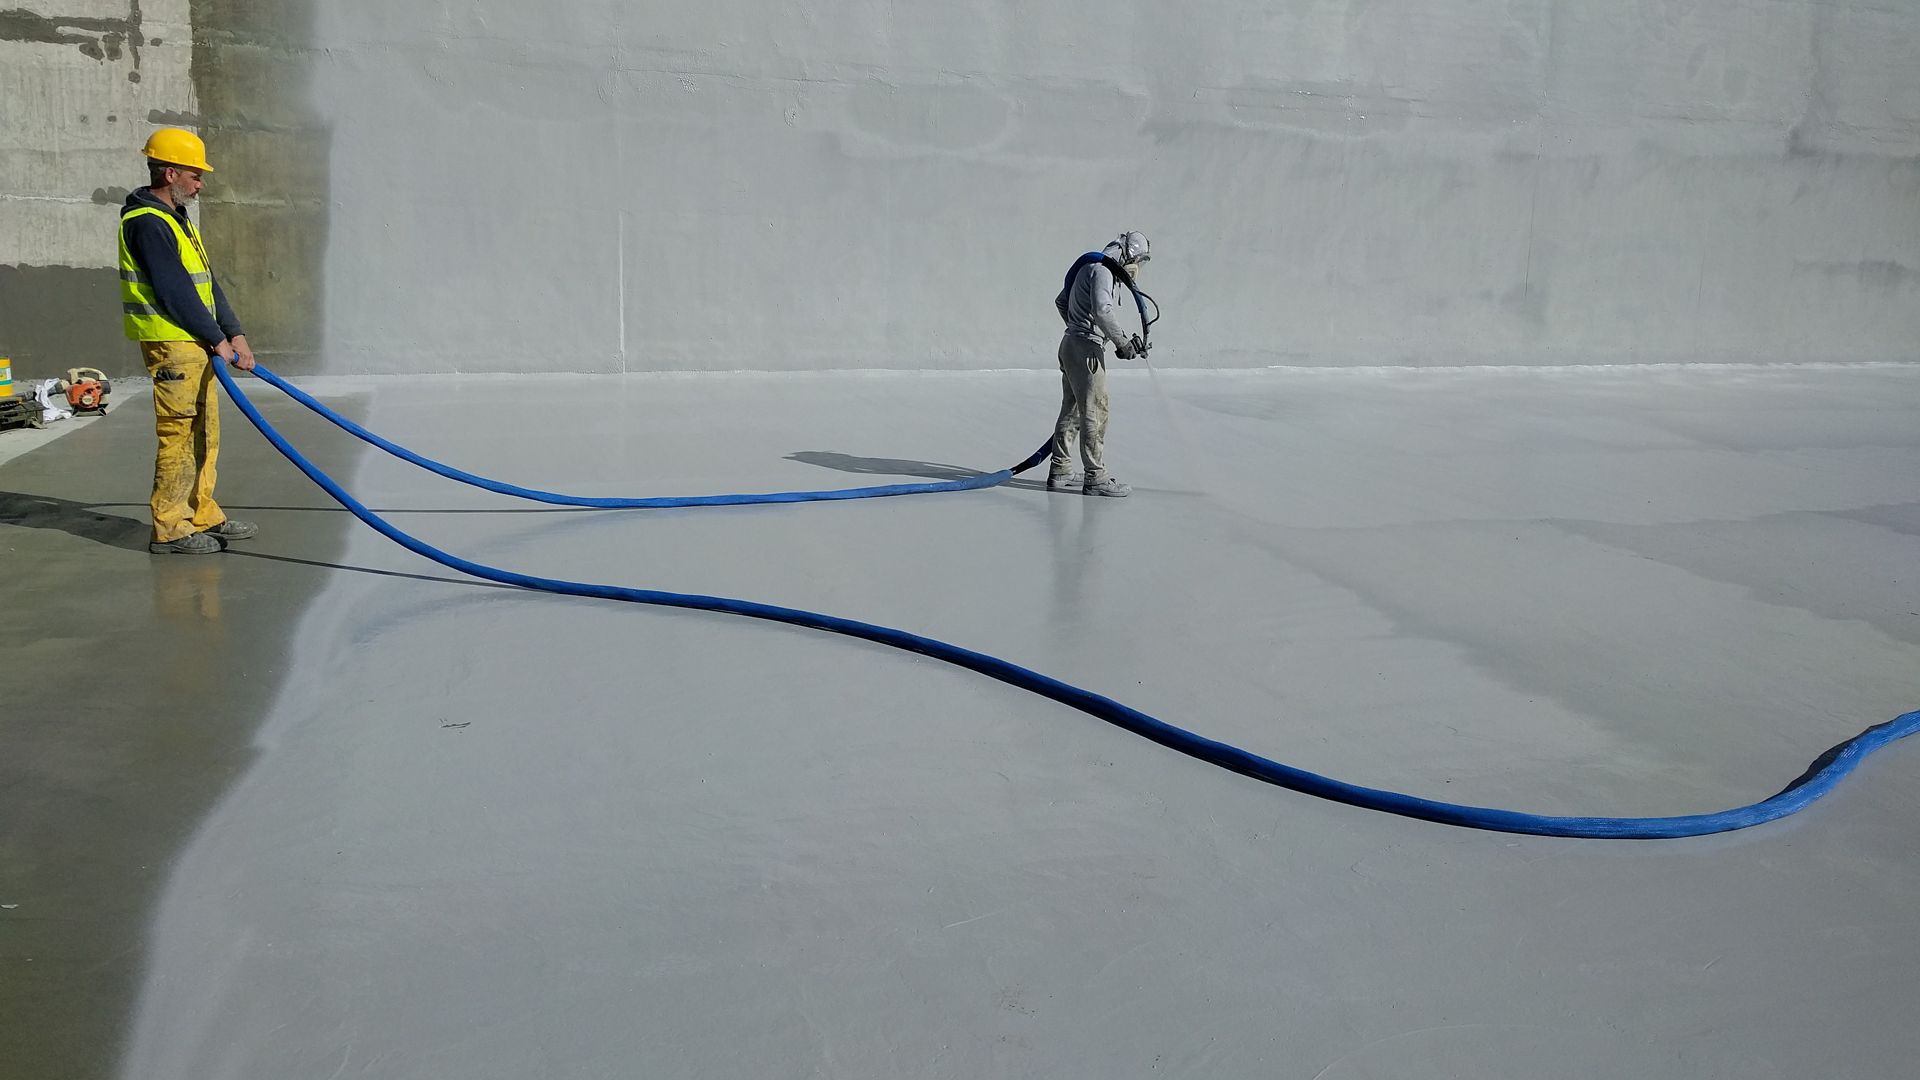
{"x":133,"y":687}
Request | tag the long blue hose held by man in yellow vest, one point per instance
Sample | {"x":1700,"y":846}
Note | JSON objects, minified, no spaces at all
{"x":1827,"y":773}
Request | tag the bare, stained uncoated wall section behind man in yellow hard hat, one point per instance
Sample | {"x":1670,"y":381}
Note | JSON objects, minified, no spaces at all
{"x":84,"y":84}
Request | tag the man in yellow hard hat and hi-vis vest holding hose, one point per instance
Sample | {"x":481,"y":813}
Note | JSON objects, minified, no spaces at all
{"x":178,"y":312}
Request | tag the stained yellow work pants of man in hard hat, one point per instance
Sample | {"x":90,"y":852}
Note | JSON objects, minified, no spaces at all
{"x":187,"y":418}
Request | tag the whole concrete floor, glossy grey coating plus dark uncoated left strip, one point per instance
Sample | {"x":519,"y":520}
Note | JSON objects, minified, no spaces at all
{"x":329,"y":812}
